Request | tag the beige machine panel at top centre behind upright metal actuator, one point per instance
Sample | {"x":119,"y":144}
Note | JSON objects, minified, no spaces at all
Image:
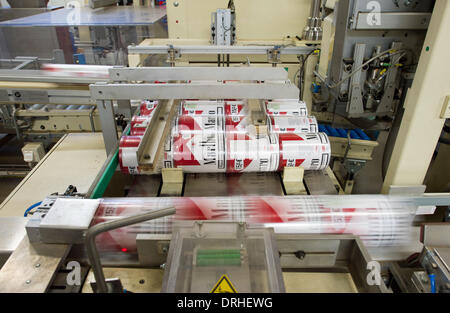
{"x":255,"y":19}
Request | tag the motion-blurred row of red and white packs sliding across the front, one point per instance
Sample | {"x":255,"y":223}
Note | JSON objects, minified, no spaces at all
{"x":378,"y":220}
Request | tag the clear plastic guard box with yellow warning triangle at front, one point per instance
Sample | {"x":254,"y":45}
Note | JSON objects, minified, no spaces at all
{"x":222,"y":257}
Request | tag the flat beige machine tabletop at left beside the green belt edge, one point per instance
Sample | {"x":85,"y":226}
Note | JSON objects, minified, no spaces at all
{"x":75,"y":160}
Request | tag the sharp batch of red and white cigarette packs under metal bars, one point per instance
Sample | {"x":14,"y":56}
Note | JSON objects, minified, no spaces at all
{"x":217,"y":136}
